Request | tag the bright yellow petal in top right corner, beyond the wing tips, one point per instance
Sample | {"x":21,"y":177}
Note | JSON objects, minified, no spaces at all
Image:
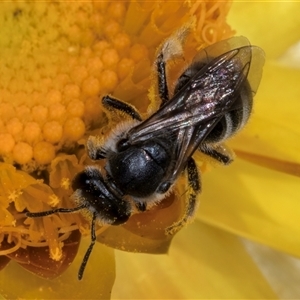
{"x":272,"y":25}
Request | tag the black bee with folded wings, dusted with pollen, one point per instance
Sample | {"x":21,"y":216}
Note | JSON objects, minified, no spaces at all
{"x":211,"y":101}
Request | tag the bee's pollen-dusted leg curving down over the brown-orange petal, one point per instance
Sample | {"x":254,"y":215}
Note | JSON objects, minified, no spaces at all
{"x":192,"y":201}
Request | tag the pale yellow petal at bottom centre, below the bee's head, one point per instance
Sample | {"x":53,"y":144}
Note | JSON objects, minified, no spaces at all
{"x":203,"y":263}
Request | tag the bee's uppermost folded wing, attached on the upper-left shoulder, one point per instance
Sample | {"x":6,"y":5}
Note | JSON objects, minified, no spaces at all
{"x":207,"y":95}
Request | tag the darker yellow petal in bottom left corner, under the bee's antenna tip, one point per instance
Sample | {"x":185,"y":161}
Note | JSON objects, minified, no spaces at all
{"x":67,"y":285}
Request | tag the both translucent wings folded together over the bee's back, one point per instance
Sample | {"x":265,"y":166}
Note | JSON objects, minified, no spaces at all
{"x":203,"y":100}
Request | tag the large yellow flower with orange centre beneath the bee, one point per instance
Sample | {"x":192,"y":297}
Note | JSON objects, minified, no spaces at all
{"x":56,"y":59}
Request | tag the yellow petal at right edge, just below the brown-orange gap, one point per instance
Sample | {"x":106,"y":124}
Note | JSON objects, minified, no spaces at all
{"x":254,"y":202}
